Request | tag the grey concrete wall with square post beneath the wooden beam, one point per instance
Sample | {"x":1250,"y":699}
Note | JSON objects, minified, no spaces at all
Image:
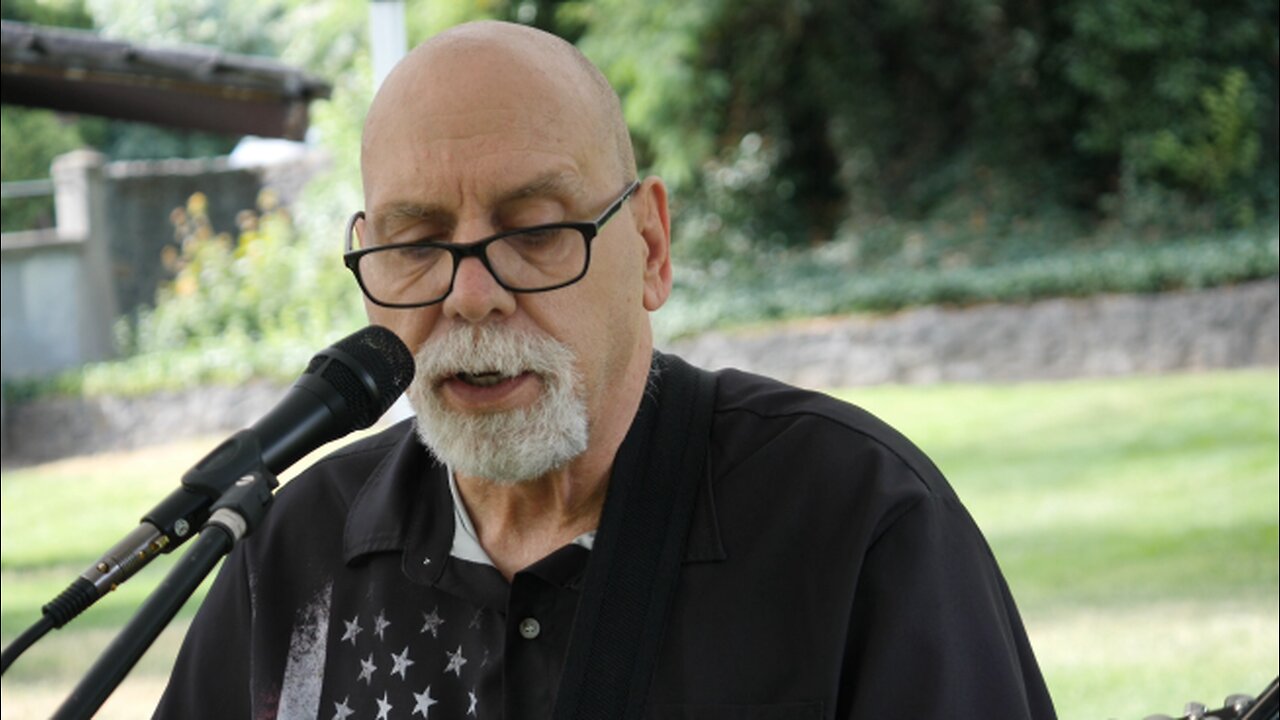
{"x":66,"y":289}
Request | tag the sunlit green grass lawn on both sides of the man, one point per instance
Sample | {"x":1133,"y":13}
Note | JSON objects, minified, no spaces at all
{"x":1136,"y":520}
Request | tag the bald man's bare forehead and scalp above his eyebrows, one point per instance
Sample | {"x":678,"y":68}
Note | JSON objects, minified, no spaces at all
{"x":473,"y":122}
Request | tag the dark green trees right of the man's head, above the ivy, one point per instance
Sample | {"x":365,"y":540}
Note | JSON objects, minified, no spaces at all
{"x":988,"y":111}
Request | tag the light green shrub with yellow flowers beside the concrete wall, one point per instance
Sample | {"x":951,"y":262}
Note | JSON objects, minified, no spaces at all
{"x":255,"y":306}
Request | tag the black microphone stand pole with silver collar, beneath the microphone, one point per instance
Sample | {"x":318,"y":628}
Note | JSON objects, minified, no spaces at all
{"x":240,"y":511}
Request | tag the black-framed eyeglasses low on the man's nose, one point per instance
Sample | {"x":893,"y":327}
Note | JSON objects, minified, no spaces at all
{"x":534,"y":259}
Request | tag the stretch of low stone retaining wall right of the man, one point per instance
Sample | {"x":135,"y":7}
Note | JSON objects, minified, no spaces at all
{"x":1232,"y":327}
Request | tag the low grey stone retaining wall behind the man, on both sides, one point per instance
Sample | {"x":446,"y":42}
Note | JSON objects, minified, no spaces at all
{"x":1219,"y":329}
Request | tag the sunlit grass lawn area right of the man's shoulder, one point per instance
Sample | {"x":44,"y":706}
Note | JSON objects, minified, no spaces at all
{"x":1136,"y":521}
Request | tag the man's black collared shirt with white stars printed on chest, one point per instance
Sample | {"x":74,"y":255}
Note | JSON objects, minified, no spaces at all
{"x":830,"y":572}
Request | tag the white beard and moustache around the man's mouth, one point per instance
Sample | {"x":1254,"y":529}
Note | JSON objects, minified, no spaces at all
{"x":504,"y":448}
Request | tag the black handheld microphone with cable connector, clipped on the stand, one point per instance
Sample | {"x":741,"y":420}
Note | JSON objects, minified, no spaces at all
{"x":346,"y":388}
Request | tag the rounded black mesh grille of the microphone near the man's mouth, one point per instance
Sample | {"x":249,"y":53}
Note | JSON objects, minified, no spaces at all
{"x":382,"y":367}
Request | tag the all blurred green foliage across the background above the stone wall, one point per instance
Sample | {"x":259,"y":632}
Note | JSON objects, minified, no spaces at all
{"x":825,"y":156}
